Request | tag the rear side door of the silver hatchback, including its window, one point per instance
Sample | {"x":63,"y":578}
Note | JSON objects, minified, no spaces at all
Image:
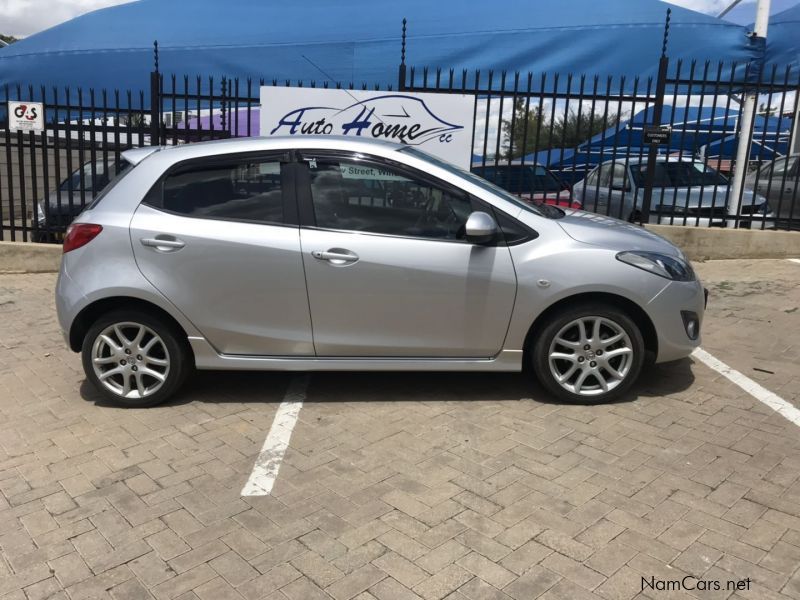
{"x":219,"y":238}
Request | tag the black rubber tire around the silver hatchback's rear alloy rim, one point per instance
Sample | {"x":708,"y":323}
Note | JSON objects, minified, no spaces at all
{"x":175,"y":349}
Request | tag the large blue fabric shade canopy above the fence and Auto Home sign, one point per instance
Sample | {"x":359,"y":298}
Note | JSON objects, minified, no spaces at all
{"x":359,"y":40}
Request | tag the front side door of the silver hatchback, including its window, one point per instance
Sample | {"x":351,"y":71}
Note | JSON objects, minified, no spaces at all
{"x":388,"y":270}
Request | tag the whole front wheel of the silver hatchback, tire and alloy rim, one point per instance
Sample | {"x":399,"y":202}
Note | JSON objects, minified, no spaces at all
{"x":588,"y":353}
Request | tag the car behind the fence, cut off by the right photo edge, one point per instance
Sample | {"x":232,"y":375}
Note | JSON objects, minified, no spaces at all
{"x":779,"y":182}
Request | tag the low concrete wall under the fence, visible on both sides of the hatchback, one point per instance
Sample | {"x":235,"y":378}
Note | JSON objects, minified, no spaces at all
{"x":699,"y":243}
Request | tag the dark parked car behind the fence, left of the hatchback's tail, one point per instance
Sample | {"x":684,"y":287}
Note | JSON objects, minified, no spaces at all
{"x":55,"y":212}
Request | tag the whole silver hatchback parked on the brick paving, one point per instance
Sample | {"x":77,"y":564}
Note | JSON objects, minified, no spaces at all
{"x":308,"y":254}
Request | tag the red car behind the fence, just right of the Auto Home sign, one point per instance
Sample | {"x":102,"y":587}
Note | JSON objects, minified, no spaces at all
{"x":532,"y":182}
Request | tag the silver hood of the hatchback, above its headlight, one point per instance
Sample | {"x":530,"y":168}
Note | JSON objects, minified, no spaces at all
{"x":599,"y":230}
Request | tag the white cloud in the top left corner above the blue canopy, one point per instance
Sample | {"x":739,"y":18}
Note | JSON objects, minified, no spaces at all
{"x":25,"y":17}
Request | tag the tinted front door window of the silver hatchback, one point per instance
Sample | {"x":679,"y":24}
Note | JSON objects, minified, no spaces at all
{"x":359,"y":195}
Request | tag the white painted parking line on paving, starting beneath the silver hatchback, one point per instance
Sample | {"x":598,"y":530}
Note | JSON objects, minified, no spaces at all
{"x":268,"y":462}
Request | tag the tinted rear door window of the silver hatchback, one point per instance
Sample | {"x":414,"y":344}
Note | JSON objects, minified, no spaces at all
{"x":243,"y":191}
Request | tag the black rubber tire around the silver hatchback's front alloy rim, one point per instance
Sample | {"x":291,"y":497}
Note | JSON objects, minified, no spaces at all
{"x":540,"y":353}
